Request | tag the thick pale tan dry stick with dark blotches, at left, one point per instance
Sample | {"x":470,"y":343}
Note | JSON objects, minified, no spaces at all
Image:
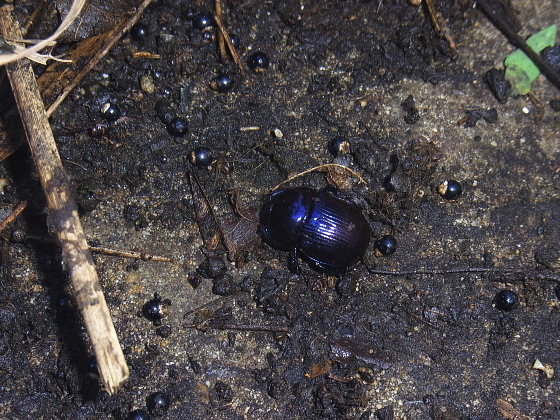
{"x":63,"y":218}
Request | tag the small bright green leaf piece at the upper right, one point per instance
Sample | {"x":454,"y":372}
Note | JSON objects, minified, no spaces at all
{"x":520,"y":69}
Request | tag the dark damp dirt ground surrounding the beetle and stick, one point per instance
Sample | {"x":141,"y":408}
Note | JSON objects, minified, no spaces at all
{"x":413,"y":335}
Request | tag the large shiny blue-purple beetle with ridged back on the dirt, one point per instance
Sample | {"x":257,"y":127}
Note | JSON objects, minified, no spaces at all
{"x":327,"y":231}
